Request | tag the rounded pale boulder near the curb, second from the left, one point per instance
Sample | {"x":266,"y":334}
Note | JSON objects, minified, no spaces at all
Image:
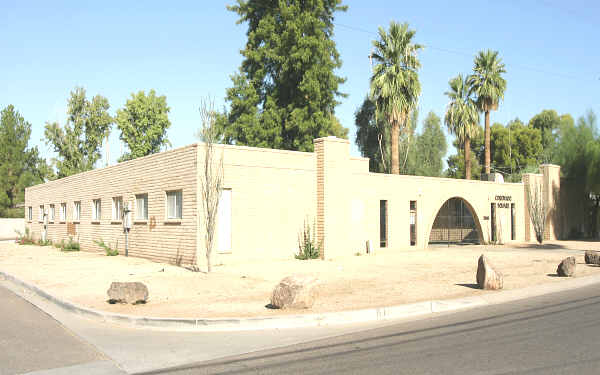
{"x":295,"y":292}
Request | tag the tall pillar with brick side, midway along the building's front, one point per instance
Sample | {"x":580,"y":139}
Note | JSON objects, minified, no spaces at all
{"x":333,"y":200}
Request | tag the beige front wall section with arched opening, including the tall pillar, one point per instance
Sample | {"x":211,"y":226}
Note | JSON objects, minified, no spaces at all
{"x":351,"y":203}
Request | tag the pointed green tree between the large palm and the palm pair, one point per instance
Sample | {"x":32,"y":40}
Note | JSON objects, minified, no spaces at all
{"x":430,"y":148}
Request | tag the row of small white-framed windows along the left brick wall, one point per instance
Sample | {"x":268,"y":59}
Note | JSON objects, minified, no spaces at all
{"x":174,"y":202}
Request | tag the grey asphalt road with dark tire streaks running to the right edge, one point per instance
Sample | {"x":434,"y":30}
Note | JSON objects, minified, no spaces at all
{"x":552,"y":334}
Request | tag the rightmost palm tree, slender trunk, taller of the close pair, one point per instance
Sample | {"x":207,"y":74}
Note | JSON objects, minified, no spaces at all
{"x":488,"y":85}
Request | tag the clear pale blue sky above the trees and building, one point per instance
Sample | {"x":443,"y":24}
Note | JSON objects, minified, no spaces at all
{"x":187,"y":51}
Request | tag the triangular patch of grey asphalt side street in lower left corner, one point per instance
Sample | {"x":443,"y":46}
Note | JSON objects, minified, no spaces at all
{"x":30,"y":340}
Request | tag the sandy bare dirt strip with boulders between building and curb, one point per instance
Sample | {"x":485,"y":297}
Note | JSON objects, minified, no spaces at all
{"x":241,"y":290}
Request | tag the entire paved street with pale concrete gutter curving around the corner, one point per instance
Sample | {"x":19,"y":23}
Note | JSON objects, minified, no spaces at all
{"x":551,"y":334}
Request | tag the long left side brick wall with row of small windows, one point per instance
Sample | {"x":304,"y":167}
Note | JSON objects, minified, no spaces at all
{"x":156,"y":238}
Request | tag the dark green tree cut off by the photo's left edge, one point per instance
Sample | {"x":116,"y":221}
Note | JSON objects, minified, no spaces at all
{"x":20,"y":165}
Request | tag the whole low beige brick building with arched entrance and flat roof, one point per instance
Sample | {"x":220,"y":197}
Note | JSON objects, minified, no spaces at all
{"x":268,"y":196}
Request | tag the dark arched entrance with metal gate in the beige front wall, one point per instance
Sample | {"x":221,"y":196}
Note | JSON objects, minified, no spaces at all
{"x":455,"y":223}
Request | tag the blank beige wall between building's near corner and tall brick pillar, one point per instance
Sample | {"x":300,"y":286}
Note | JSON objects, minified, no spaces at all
{"x":273,"y":192}
